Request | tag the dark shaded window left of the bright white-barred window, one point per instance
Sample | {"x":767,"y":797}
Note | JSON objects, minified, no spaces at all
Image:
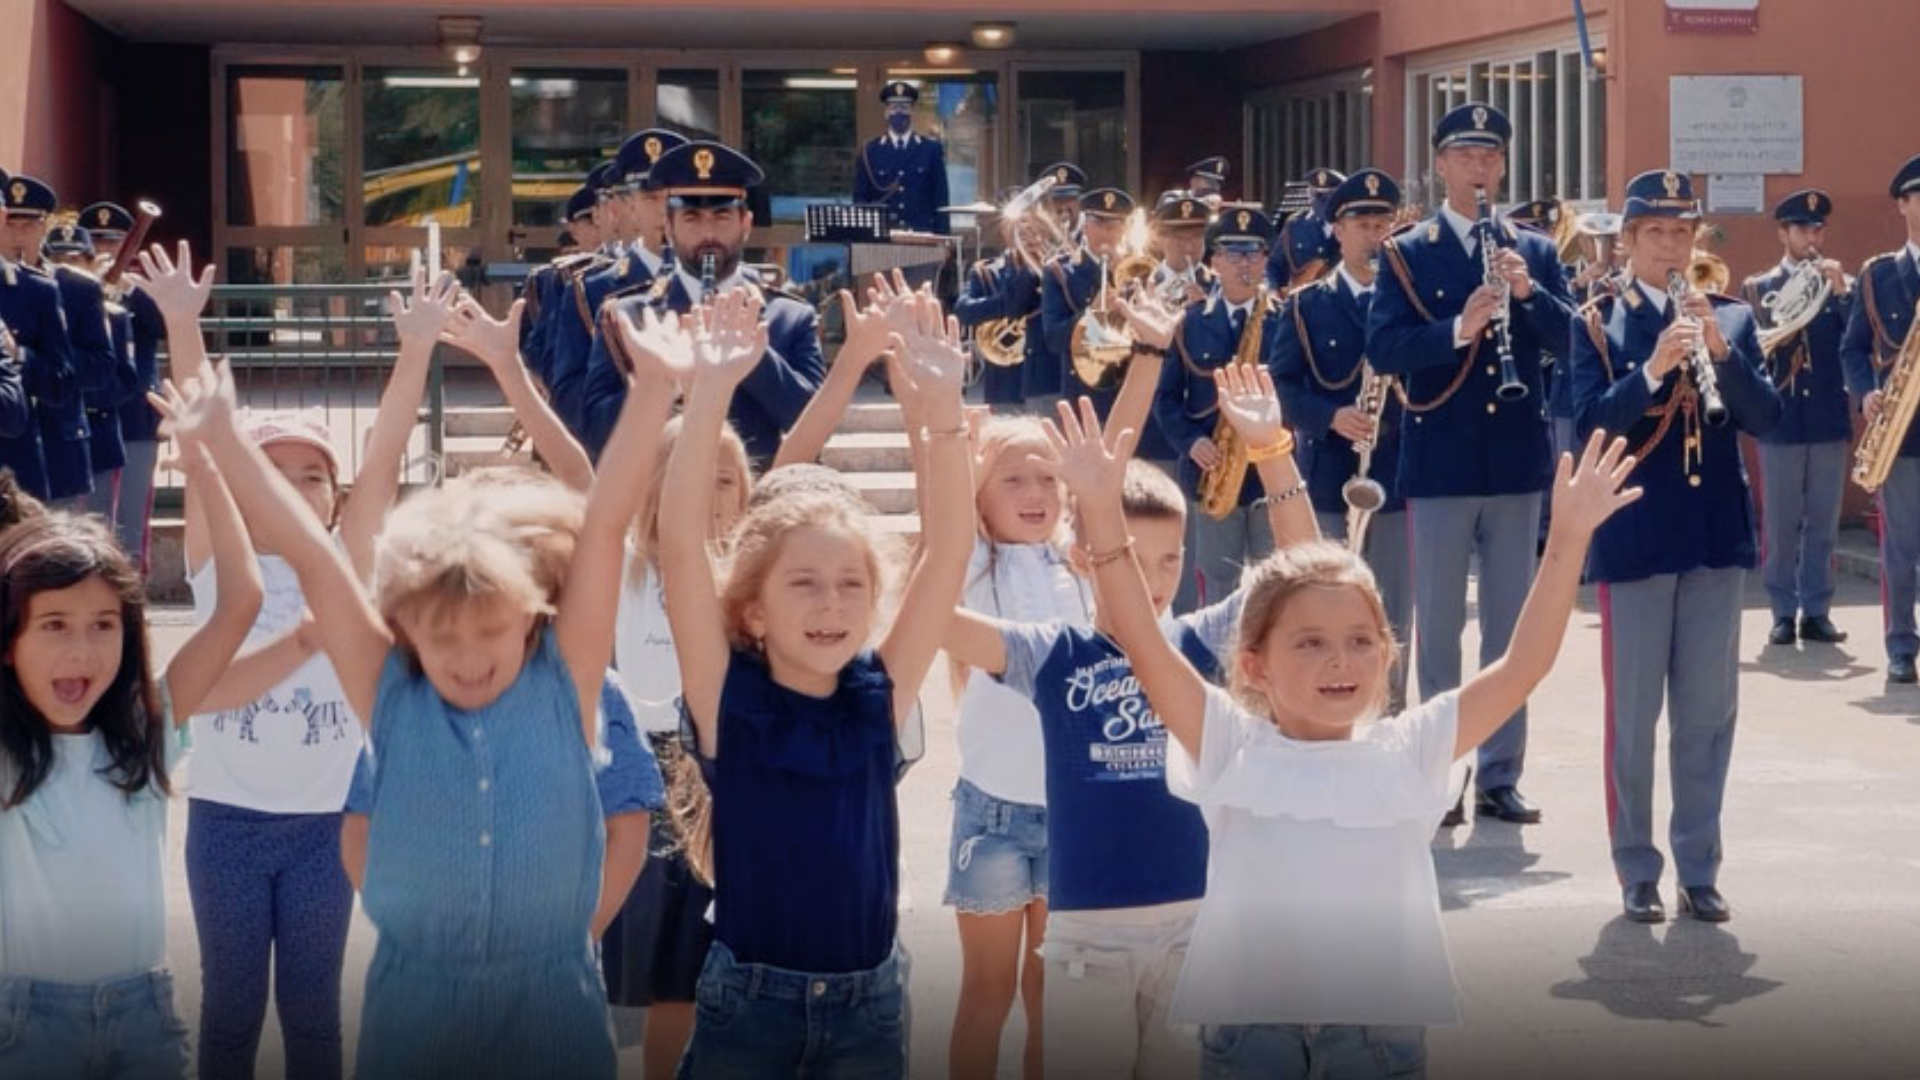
{"x":1310,"y":126}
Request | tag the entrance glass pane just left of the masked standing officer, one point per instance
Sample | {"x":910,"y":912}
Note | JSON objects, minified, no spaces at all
{"x":800,"y":126}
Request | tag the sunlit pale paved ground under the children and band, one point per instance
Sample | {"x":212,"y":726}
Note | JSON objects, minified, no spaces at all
{"x":1817,"y":975}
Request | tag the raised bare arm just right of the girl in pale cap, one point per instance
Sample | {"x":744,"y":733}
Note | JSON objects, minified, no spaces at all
{"x":377,"y":485}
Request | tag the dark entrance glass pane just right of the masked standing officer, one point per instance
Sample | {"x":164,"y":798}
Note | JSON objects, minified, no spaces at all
{"x":1076,"y":116}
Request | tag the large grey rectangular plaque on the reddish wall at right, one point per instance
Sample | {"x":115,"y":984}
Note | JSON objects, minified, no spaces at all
{"x":1735,"y":124}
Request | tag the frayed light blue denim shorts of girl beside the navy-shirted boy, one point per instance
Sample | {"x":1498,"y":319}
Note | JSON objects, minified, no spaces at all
{"x":997,"y":860}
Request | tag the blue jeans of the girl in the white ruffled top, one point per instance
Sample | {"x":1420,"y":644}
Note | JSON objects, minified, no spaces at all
{"x":1312,"y":1052}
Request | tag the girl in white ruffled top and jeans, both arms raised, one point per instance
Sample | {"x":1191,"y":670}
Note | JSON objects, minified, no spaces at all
{"x":1318,"y":948}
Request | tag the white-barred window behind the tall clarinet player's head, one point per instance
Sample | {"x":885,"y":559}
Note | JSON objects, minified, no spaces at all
{"x":1558,"y":112}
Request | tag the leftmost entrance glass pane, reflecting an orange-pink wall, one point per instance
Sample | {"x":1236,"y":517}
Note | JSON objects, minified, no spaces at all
{"x":285,"y":145}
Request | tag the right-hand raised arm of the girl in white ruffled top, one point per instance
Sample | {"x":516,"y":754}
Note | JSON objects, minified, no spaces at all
{"x":1583,"y":497}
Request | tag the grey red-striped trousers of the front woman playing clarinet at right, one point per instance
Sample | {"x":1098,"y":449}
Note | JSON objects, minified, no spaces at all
{"x":1671,"y":643}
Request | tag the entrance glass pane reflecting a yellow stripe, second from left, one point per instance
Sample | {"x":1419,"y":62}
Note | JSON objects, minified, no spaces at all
{"x":421,"y":147}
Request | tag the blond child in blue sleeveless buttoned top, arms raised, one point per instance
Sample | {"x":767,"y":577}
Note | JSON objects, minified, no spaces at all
{"x":487,"y":841}
